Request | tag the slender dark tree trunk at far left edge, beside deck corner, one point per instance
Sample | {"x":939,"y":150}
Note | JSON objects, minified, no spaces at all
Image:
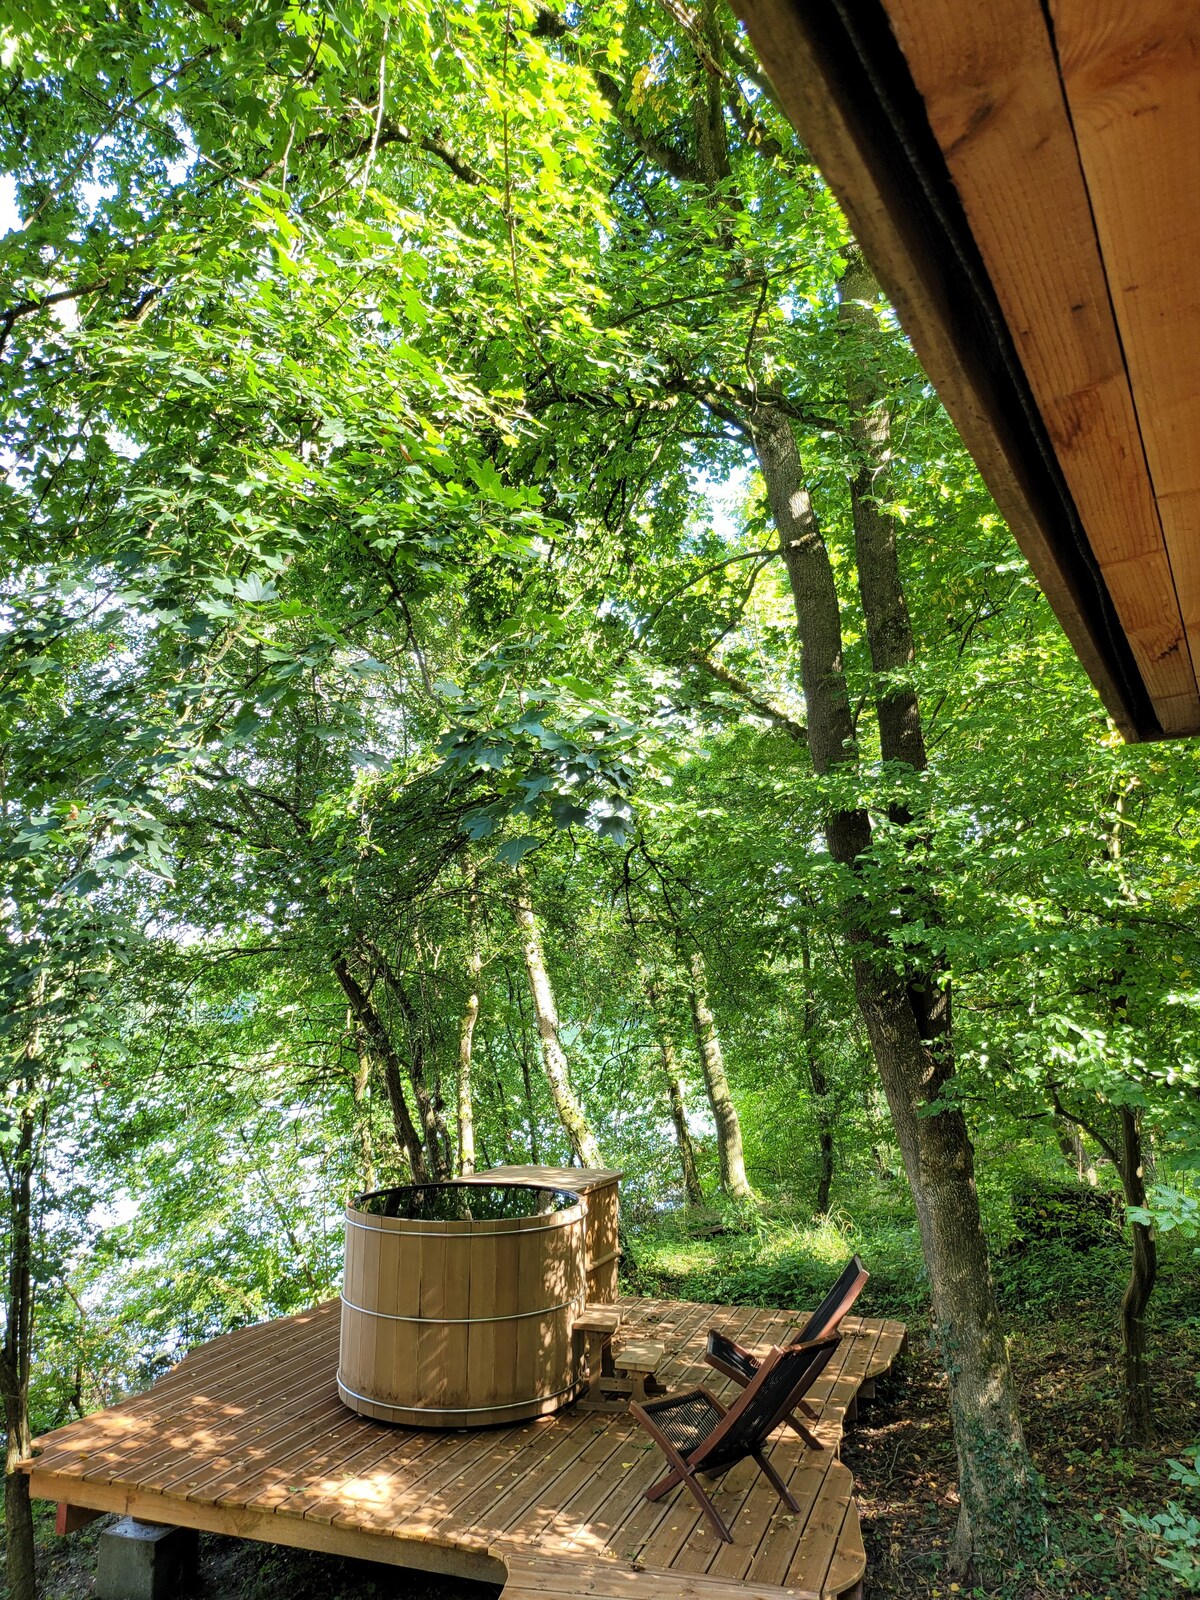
{"x":15,"y":1361}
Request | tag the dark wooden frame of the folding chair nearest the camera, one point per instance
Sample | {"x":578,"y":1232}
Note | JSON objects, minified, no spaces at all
{"x":686,"y":1465}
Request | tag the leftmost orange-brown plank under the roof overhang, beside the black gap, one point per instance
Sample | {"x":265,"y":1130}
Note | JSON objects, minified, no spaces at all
{"x":994,"y":98}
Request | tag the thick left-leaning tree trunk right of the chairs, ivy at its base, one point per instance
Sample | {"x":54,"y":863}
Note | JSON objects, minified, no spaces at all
{"x":908,"y":1023}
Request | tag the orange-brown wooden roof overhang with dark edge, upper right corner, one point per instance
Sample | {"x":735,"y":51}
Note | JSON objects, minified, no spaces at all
{"x":1026,"y":185}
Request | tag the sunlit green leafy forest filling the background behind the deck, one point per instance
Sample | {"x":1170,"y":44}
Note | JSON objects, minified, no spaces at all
{"x":506,"y":660}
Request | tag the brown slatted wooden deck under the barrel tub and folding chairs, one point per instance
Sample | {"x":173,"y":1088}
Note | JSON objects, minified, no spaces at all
{"x":247,"y":1438}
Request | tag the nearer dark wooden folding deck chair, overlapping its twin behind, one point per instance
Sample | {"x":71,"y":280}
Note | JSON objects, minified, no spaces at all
{"x":698,"y":1434}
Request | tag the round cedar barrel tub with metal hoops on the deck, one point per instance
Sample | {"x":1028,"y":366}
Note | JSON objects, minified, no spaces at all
{"x":458,"y":1303}
